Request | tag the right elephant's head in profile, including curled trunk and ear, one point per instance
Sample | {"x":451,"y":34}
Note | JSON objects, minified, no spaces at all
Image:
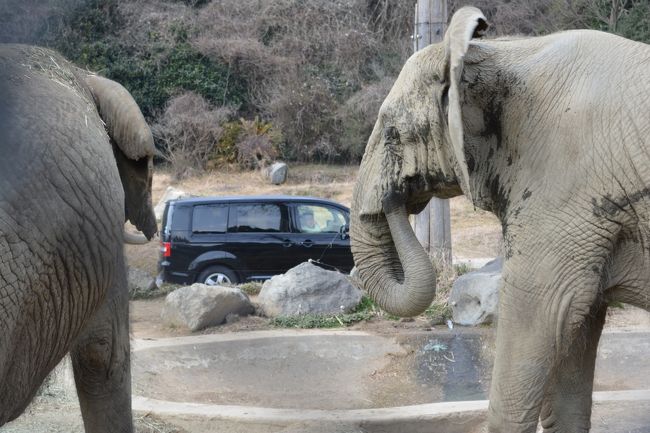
{"x":415,"y":152}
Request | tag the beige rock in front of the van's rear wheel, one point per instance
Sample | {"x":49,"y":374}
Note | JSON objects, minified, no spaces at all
{"x":199,"y":306}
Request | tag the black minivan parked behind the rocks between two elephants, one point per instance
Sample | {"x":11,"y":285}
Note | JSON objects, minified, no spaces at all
{"x":214,"y":240}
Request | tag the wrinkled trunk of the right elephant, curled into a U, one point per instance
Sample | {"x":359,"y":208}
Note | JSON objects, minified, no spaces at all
{"x":393,"y":267}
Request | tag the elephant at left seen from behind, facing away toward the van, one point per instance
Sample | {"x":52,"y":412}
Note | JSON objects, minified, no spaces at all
{"x":77,"y":160}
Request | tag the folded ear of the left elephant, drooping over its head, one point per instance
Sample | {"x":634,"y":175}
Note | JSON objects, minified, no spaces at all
{"x":132,"y":146}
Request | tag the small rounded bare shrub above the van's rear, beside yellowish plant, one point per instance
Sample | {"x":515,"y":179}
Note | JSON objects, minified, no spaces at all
{"x":189,"y":130}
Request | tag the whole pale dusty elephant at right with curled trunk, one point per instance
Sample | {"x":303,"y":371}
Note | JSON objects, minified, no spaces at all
{"x":552,"y":135}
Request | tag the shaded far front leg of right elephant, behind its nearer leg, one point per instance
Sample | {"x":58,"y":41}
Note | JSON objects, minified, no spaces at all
{"x":567,"y":405}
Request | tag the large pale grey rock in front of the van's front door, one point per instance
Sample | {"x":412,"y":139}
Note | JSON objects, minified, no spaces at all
{"x":308,"y":289}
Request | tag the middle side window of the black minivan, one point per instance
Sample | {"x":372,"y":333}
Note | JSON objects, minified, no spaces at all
{"x":255,"y":218}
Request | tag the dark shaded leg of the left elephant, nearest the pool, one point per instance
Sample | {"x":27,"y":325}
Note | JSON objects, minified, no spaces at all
{"x":101,"y":363}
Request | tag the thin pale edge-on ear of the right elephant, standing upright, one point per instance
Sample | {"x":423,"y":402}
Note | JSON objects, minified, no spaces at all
{"x":467,"y":23}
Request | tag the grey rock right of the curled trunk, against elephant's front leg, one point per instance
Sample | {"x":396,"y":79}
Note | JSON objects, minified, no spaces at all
{"x":474,"y":296}
